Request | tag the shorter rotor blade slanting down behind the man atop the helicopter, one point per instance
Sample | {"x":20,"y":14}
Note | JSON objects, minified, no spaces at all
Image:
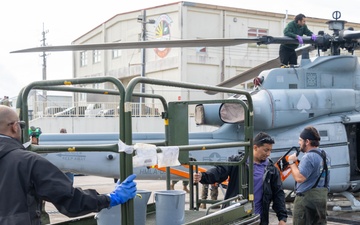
{"x":255,"y":71}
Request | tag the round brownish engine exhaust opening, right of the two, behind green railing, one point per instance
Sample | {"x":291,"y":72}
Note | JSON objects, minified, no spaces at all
{"x":231,"y":113}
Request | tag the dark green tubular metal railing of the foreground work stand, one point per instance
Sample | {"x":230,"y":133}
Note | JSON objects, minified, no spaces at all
{"x":176,"y":131}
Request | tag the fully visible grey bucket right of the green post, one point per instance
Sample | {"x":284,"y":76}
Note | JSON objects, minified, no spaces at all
{"x":170,"y":207}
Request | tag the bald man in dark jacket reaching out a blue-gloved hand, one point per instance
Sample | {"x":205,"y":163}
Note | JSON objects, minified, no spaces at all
{"x":27,"y":178}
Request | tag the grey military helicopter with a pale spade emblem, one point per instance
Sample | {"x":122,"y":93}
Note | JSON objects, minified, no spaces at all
{"x":322,"y":92}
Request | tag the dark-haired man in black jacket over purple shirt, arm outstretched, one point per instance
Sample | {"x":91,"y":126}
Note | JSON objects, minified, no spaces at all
{"x":267,"y":183}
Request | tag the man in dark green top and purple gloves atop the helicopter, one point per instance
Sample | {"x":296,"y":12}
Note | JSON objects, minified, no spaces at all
{"x":295,"y":29}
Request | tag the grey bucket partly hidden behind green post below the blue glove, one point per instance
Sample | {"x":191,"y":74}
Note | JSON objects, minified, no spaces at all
{"x":113,"y":215}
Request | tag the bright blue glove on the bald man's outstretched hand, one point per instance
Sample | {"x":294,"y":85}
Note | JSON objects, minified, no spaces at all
{"x":123,"y":191}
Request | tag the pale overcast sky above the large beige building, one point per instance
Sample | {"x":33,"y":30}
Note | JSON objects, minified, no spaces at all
{"x":22,"y":24}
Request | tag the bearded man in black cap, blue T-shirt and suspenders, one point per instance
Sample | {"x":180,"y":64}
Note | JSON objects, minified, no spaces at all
{"x":312,"y":180}
